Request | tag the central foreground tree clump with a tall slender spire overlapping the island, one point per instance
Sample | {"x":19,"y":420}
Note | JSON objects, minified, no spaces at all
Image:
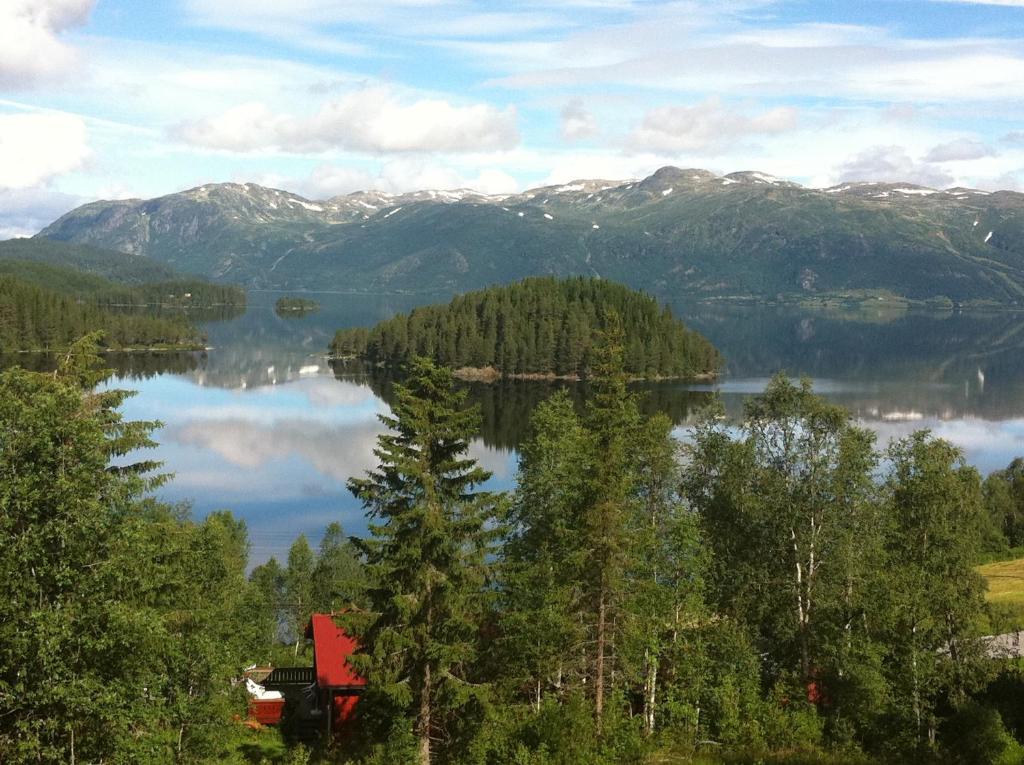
{"x":602,"y":572}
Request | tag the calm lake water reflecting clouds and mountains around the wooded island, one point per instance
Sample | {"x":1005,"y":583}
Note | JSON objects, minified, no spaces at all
{"x":264,"y":427}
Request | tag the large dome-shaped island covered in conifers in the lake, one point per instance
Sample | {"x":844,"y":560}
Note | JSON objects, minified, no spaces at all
{"x":542,"y":328}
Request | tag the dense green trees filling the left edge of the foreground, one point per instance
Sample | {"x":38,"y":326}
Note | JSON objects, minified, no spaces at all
{"x":122,"y":621}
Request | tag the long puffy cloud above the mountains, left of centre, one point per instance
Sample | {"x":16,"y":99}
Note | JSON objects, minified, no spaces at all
{"x":373,"y":120}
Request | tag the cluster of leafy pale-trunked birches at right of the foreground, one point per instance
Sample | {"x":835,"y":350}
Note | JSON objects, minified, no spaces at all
{"x":861,"y":597}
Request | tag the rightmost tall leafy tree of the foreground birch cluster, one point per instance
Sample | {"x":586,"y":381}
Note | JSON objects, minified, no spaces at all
{"x":934,"y":503}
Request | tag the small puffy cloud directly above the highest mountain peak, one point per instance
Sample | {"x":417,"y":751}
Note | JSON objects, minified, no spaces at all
{"x":709,"y":126}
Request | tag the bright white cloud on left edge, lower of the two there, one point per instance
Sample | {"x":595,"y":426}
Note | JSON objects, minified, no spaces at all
{"x":37,"y":147}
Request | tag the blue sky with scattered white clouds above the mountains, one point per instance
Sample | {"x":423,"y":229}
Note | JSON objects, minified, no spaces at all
{"x":122,"y":99}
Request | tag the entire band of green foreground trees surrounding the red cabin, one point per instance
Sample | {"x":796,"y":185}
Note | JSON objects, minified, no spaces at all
{"x":780,"y":590}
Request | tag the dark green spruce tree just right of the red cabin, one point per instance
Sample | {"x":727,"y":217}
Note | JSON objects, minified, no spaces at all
{"x":426,"y":557}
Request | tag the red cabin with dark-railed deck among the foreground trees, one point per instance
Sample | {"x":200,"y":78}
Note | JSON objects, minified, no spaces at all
{"x":318,"y":699}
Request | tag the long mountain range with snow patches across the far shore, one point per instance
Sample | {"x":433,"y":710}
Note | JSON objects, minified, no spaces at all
{"x":678,"y":232}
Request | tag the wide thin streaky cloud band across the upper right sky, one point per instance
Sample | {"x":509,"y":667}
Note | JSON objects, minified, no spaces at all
{"x":701,"y":52}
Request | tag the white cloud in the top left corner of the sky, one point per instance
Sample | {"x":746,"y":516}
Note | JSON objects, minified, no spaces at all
{"x":31,"y":49}
